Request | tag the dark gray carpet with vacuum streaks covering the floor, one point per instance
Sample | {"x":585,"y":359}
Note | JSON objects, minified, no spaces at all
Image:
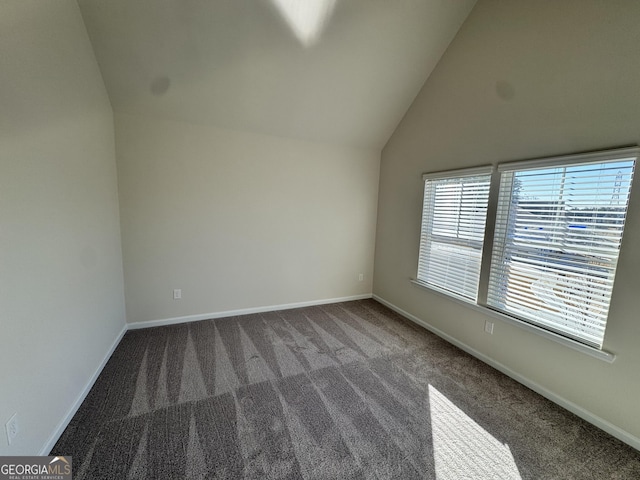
{"x":348,"y":390}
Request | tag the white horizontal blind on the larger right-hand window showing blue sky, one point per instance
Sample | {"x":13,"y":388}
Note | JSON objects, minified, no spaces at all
{"x":557,"y":238}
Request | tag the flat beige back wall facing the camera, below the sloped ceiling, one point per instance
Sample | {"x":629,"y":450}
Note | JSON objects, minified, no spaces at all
{"x":237,"y":220}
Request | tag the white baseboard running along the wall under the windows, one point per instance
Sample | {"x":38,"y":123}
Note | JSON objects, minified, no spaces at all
{"x":601,"y":423}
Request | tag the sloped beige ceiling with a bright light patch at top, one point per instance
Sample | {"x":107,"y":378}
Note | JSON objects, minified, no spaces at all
{"x":334,"y":71}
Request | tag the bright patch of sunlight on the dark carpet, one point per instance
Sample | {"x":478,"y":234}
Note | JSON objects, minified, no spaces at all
{"x":461,"y":445}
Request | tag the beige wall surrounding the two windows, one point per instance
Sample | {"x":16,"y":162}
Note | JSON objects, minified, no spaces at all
{"x":523,"y":80}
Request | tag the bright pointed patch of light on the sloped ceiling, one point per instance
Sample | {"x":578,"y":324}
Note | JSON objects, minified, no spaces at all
{"x":306,"y":18}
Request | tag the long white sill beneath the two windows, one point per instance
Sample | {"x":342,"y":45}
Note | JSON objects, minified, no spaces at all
{"x":593,"y":352}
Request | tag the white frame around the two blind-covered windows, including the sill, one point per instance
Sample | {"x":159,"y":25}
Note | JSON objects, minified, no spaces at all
{"x":481,"y":304}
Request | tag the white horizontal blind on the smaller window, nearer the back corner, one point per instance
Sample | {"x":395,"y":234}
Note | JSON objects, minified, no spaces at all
{"x":453,"y":223}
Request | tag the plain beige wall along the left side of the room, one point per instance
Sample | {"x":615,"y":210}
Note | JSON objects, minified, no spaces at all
{"x":61,"y":283}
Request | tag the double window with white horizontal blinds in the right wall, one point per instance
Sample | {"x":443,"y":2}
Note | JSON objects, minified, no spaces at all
{"x":558,"y":231}
